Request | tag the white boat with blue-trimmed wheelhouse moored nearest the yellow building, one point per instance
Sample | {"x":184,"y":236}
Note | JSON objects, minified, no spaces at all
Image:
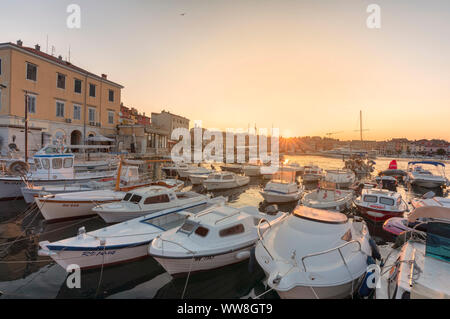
{"x":53,"y":166}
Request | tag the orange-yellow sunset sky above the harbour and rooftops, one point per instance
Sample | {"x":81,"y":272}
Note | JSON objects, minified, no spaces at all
{"x":306,"y":67}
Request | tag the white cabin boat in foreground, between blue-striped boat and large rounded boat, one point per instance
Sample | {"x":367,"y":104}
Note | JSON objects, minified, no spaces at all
{"x":216,"y":237}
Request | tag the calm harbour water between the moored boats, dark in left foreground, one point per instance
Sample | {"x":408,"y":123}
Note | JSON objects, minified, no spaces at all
{"x":24,"y":274}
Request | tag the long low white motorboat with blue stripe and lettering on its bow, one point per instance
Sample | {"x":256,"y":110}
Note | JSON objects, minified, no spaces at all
{"x":118,"y":243}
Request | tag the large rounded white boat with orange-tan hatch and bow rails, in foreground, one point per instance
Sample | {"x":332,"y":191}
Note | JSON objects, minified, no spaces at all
{"x":315,"y":253}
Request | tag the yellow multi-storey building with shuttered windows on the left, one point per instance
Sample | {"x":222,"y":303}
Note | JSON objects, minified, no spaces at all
{"x":64,"y":101}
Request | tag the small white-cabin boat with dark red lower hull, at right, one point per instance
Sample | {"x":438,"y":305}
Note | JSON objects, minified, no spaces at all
{"x":378,"y":205}
